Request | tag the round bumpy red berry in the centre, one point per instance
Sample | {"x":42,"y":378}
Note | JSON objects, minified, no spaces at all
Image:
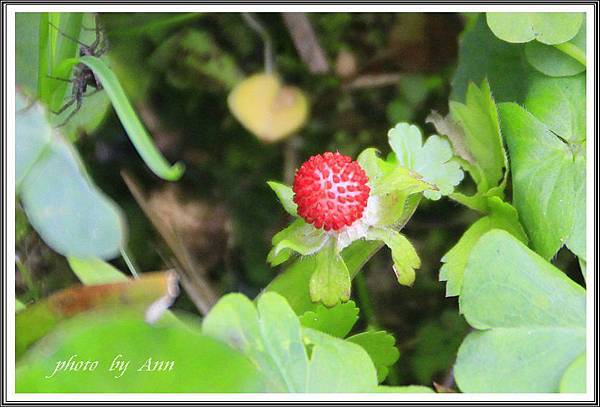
{"x":331,"y":191}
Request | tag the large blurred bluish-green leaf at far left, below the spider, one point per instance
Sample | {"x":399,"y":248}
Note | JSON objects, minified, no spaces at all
{"x":70,"y":214}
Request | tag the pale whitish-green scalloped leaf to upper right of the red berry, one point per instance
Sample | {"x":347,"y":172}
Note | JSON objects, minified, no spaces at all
{"x":431,"y":160}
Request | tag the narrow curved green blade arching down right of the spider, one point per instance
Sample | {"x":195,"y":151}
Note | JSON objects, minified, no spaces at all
{"x":132,"y":124}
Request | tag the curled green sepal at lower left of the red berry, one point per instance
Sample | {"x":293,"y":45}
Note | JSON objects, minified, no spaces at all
{"x":299,"y":237}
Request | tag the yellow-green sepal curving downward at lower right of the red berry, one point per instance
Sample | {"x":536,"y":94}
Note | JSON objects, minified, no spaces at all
{"x":405,"y":257}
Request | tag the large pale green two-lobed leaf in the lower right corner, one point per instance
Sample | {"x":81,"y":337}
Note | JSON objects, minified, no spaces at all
{"x":524,"y":310}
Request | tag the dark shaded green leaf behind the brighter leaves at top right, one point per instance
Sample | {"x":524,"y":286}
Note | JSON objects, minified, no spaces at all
{"x":483,"y":56}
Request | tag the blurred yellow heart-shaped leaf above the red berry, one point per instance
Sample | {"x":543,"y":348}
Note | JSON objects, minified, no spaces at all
{"x":267,"y":108}
